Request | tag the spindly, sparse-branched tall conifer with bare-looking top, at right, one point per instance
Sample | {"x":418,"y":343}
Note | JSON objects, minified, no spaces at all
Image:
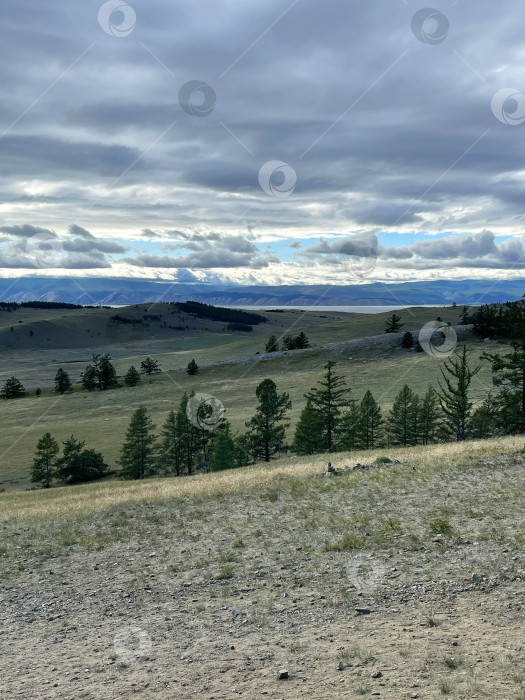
{"x":454,"y":394}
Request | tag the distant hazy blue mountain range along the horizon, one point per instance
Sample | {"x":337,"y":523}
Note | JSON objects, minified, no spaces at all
{"x":109,"y":291}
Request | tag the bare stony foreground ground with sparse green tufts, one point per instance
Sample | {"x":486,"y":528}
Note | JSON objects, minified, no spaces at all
{"x":212,"y":597}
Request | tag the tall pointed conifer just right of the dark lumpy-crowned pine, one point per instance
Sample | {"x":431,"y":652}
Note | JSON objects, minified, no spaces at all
{"x":328,"y":400}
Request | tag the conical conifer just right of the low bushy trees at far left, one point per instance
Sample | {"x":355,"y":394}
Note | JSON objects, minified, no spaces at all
{"x":137,"y":456}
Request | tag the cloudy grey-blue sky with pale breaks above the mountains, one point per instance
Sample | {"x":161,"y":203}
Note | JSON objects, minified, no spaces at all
{"x":278,"y":142}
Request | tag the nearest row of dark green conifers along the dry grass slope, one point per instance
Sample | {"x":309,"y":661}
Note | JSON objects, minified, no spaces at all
{"x":331,"y":420}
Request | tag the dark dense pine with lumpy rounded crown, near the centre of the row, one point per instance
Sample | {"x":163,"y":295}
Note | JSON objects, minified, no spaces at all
{"x":267,"y":427}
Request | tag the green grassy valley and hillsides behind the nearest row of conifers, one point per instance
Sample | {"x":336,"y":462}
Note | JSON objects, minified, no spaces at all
{"x":101,"y":418}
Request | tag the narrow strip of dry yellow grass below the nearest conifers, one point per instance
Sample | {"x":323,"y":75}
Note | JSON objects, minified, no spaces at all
{"x":71,"y":501}
